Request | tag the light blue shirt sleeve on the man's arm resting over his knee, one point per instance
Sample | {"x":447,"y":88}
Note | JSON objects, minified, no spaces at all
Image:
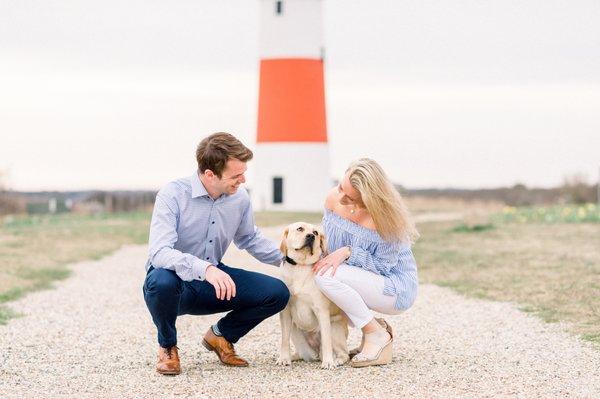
{"x":163,"y":236}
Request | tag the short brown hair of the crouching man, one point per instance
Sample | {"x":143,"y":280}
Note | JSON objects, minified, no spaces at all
{"x":214,"y":151}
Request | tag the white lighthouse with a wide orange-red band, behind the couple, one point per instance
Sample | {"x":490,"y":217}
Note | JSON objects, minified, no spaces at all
{"x":292,"y":170}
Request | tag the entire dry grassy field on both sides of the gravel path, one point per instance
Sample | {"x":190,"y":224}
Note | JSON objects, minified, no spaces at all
{"x":547,"y":260}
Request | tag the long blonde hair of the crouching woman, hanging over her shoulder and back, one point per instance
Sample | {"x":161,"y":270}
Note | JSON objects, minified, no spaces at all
{"x":383,"y":202}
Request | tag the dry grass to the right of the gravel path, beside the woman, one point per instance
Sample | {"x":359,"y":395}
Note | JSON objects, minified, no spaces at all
{"x":552,"y":270}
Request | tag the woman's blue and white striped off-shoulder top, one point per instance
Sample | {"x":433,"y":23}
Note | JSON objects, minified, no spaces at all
{"x":394,"y":261}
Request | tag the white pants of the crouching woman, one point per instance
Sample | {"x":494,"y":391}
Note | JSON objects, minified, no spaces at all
{"x":357,"y":291}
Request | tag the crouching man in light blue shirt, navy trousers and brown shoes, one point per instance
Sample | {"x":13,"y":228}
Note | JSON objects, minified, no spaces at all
{"x":194,"y":221}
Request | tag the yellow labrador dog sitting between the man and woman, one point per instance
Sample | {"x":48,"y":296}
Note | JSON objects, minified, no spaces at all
{"x":316,"y":326}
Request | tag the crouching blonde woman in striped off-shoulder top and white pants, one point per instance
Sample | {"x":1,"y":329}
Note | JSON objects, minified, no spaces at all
{"x":370,"y":265}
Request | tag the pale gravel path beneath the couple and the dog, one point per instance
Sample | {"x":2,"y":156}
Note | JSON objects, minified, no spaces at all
{"x":93,"y":337}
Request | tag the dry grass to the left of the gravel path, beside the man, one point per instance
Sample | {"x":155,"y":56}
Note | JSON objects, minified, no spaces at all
{"x":34,"y":250}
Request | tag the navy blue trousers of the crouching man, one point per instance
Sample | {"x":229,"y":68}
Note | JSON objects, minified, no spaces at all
{"x":258,"y":297}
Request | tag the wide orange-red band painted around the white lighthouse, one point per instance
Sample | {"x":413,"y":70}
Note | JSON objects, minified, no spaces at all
{"x":291,"y":103}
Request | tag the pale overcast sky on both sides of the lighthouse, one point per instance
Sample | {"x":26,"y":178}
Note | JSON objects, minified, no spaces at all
{"x":116,"y":94}
